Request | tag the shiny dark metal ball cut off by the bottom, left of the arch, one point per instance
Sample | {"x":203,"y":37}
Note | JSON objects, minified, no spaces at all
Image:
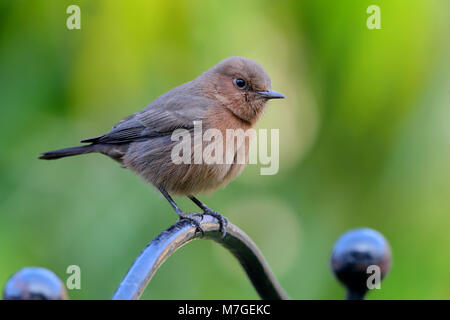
{"x":33,"y":283}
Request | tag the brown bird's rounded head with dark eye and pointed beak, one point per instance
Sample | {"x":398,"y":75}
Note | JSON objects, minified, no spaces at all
{"x":242,"y":86}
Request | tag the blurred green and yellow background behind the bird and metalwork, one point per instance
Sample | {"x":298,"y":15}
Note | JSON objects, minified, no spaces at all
{"x":364,"y":140}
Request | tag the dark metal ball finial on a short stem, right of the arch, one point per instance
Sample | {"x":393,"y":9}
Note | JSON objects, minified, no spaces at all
{"x":352,"y":255}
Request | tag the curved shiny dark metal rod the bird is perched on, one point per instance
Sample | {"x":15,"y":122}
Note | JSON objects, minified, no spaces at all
{"x":182,"y":232}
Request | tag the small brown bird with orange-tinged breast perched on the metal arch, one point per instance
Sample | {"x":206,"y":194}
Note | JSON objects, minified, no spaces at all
{"x":231,"y":95}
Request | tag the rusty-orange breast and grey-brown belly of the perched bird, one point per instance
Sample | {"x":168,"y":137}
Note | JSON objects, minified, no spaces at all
{"x":218,"y":154}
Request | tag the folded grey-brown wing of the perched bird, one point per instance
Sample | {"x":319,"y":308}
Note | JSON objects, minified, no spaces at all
{"x":159,"y":118}
